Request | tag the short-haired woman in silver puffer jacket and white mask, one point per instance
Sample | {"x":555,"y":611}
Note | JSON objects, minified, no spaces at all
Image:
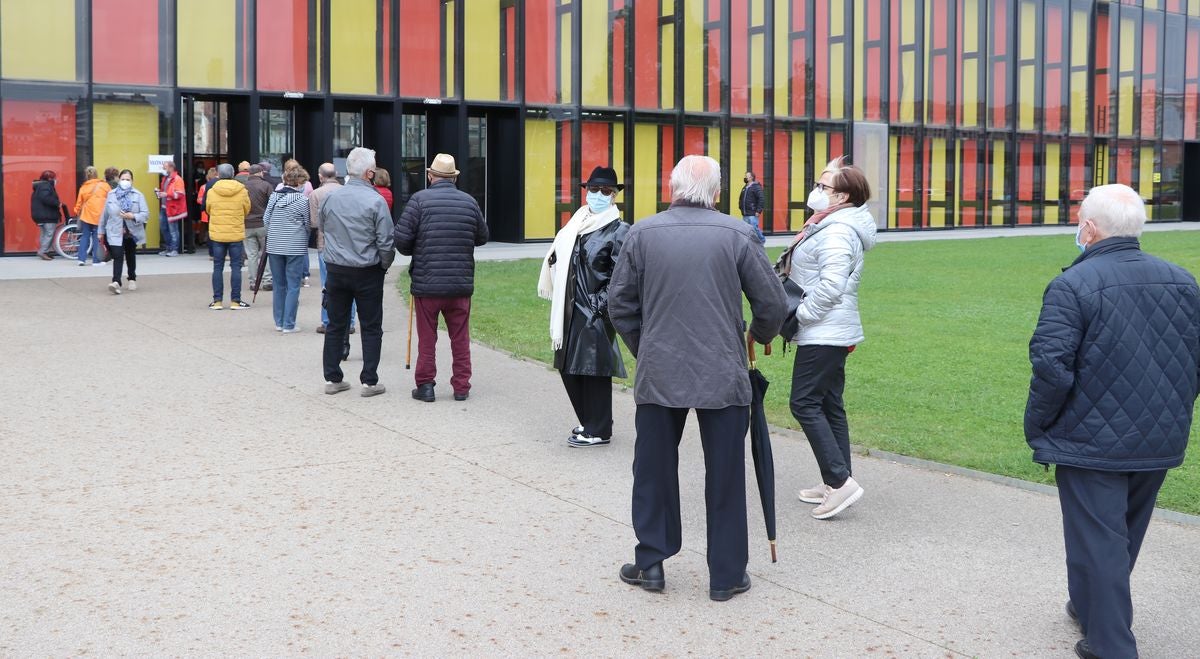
{"x":827,"y":263}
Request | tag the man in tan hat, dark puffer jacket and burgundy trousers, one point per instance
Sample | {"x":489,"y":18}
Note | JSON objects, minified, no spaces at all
{"x":441,"y":229}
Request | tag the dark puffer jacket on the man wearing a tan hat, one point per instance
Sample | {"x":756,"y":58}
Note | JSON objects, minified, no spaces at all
{"x":441,"y":229}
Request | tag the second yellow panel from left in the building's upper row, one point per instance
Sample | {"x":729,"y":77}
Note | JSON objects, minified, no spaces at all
{"x":208,"y":57}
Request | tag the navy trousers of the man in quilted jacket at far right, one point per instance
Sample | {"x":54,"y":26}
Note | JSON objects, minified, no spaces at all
{"x":1105,"y":519}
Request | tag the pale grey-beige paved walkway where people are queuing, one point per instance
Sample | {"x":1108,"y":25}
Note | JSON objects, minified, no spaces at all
{"x":178,"y":484}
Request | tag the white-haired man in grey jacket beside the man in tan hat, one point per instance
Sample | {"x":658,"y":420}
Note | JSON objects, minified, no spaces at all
{"x":356,"y":230}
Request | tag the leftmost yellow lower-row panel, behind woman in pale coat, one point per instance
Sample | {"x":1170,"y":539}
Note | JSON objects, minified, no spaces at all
{"x":123,"y":135}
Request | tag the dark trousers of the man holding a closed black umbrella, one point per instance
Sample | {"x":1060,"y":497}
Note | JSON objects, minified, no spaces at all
{"x":723,"y":434}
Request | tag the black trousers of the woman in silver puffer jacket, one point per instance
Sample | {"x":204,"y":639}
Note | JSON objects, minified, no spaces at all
{"x":819,"y":379}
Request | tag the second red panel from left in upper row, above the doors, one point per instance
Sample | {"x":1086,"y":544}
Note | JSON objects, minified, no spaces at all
{"x":283,"y":31}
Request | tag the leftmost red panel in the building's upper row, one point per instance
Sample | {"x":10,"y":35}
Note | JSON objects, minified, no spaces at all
{"x":125,"y":41}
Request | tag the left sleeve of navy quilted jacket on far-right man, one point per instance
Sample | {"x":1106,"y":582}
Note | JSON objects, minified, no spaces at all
{"x":1053,"y":351}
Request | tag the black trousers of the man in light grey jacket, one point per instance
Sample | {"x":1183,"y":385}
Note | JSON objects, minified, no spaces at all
{"x":345,"y":287}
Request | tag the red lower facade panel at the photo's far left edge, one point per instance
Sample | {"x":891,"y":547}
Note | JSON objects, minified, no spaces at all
{"x":35,"y":136}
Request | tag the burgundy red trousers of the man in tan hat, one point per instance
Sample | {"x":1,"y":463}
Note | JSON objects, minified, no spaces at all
{"x":457,"y":313}
